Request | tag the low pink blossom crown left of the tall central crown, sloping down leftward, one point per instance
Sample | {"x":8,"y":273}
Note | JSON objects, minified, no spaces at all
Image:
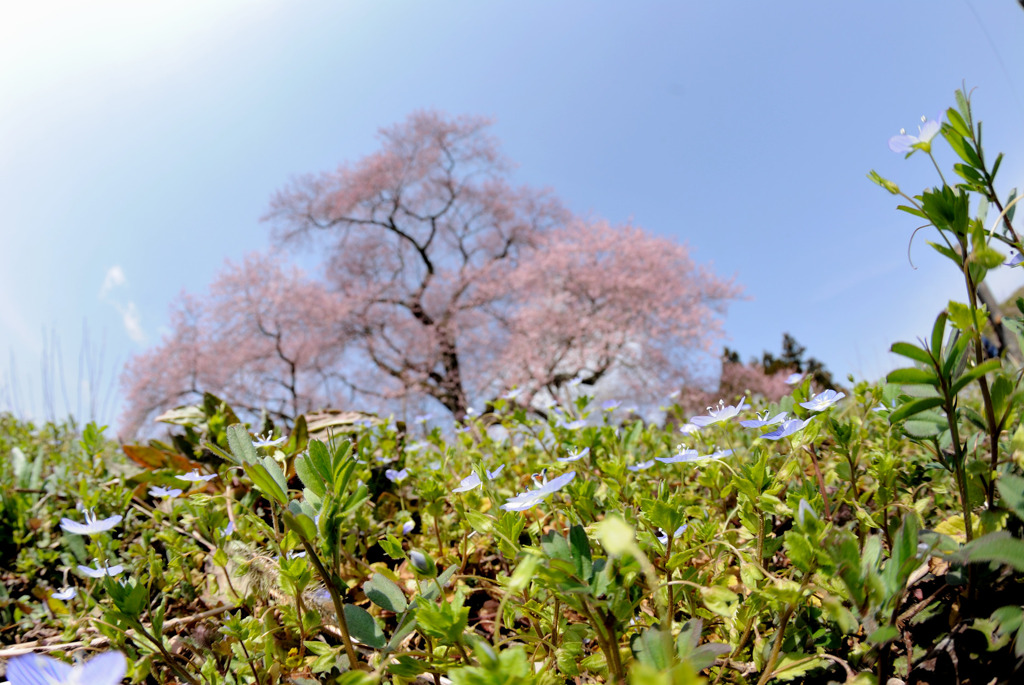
{"x":265,"y":338}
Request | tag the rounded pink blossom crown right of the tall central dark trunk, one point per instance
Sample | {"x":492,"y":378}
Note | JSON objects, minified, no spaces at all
{"x":598,"y":301}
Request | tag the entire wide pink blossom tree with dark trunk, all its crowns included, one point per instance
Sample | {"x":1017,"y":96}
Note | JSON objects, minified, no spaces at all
{"x":440,"y":281}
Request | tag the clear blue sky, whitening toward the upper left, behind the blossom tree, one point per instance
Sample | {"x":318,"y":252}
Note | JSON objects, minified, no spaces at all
{"x":141,"y":144}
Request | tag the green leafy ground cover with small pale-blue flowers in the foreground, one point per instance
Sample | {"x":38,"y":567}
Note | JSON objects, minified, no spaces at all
{"x":852,"y":536}
